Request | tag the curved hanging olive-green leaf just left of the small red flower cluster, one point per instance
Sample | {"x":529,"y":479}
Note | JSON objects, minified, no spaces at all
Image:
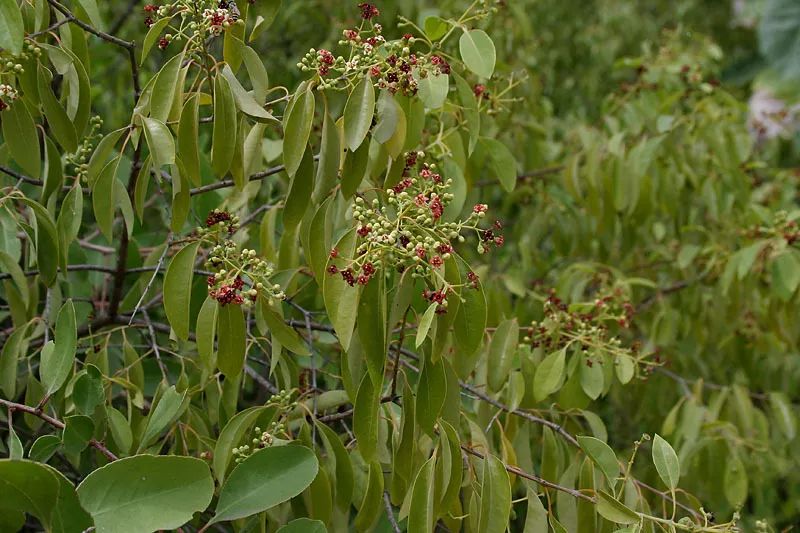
{"x":178,"y":289}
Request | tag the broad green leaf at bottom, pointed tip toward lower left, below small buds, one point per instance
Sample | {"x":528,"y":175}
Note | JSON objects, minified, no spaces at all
{"x":265,"y":479}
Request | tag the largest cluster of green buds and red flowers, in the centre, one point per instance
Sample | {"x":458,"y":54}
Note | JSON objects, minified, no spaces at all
{"x":407,"y":231}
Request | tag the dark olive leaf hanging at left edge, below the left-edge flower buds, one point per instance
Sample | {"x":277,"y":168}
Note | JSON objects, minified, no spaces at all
{"x":19,"y":133}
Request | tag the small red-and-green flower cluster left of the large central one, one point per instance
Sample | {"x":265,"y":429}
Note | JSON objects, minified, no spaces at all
{"x":232,"y":267}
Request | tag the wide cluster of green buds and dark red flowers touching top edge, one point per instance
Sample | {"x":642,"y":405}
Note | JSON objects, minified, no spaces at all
{"x":392,"y":65}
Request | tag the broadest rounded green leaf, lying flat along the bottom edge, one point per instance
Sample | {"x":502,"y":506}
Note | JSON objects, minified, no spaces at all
{"x":146,"y":493}
